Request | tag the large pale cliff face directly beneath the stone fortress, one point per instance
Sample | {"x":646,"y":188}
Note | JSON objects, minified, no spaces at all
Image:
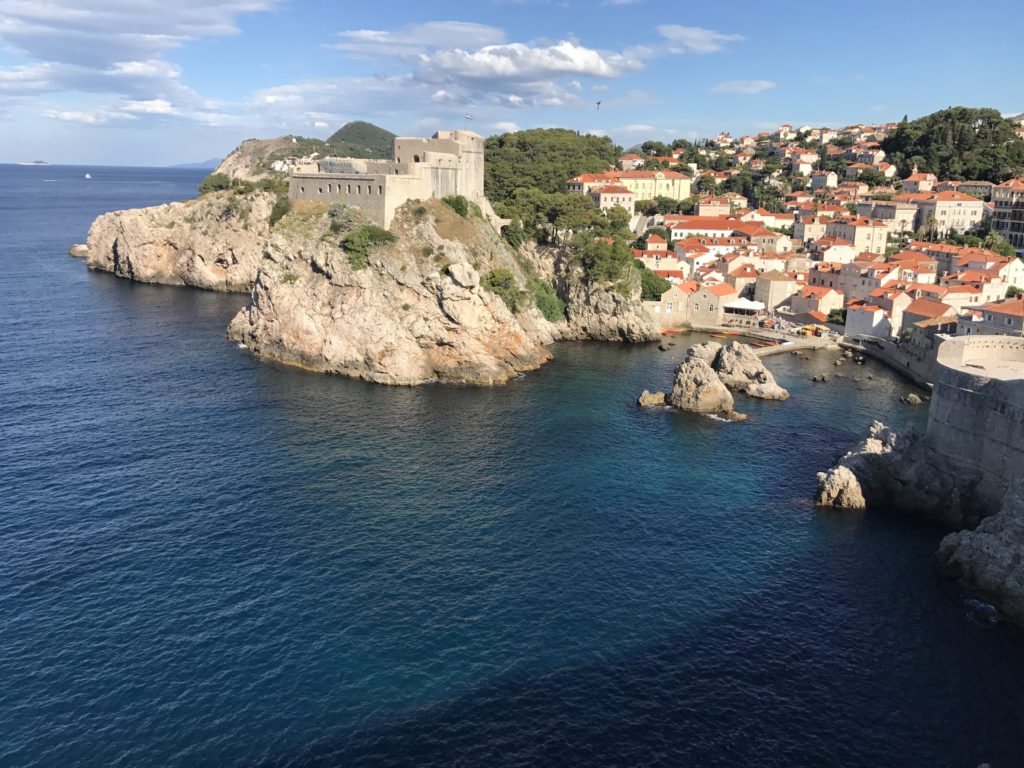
{"x":417,"y":313}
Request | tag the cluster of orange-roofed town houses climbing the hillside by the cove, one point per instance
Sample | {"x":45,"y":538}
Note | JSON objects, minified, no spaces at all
{"x":854,"y":248}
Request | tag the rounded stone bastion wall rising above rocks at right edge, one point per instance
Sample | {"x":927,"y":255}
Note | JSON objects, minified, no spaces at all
{"x":977,"y":414}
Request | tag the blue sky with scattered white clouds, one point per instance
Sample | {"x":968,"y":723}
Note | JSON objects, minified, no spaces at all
{"x":161,"y":82}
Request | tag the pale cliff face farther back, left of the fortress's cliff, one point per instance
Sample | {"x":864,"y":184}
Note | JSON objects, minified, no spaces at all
{"x":216,"y":242}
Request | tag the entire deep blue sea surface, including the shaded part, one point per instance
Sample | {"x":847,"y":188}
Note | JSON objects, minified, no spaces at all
{"x":206,"y":560}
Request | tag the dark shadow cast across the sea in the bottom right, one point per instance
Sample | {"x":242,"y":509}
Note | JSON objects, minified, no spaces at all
{"x":749,"y":688}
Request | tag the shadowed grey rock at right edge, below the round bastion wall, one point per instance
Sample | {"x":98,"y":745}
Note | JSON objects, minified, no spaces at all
{"x":990,"y":560}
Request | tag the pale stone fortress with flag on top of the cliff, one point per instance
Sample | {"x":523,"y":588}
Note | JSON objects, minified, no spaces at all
{"x":450,"y":163}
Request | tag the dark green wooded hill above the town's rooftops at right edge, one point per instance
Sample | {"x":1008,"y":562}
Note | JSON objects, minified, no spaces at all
{"x":958,"y":144}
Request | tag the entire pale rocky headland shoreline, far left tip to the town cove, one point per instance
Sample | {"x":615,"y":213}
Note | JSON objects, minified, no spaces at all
{"x":416,"y":311}
